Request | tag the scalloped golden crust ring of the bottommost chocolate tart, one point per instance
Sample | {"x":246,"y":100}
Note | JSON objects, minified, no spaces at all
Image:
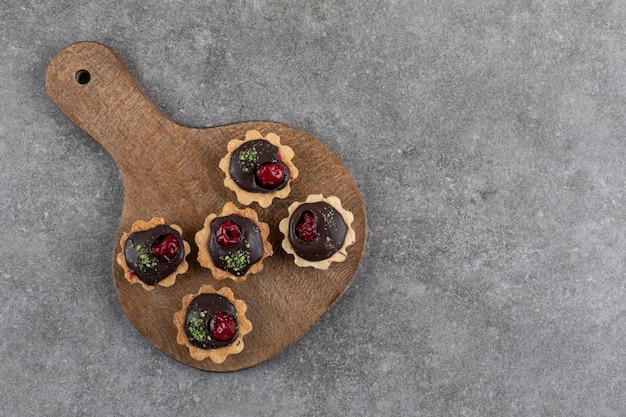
{"x":217,"y":355}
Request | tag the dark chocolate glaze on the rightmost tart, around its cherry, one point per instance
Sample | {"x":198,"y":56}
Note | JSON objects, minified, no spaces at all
{"x":331,"y":231}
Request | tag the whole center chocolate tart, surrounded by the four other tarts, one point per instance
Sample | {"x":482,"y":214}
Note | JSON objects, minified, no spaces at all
{"x":234,"y":243}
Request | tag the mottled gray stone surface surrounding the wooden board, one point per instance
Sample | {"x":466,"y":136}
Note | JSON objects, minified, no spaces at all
{"x":488,"y":142}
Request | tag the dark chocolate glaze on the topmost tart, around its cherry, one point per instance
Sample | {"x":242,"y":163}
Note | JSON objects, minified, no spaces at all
{"x":247,"y":158}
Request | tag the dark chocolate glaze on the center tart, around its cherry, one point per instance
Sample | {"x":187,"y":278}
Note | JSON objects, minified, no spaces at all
{"x":238,"y":258}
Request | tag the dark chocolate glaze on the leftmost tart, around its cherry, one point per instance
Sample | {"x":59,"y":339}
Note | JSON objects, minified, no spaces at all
{"x":141,"y":260}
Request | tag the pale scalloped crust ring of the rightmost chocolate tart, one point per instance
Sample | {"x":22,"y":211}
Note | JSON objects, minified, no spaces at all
{"x":338,"y":256}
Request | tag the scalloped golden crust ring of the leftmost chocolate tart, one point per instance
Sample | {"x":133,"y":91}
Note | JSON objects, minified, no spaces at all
{"x":141,"y":225}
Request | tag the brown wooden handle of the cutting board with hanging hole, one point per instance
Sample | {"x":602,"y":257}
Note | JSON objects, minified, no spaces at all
{"x":93,"y":88}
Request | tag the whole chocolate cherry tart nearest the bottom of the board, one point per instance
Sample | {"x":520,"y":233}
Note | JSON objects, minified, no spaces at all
{"x":212,"y":324}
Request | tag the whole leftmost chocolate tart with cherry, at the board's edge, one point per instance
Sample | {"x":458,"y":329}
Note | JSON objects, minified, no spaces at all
{"x":153,"y":253}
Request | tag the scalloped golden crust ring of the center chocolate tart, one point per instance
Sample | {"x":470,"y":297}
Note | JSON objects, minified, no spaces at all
{"x":203,"y":238}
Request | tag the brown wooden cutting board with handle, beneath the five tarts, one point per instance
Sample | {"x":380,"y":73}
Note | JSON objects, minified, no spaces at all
{"x":171,"y":171}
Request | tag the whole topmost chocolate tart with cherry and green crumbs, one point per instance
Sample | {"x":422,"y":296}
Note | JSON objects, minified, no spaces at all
{"x":258,"y":168}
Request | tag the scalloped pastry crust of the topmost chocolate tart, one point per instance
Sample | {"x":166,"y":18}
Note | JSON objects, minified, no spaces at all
{"x":264,"y":199}
